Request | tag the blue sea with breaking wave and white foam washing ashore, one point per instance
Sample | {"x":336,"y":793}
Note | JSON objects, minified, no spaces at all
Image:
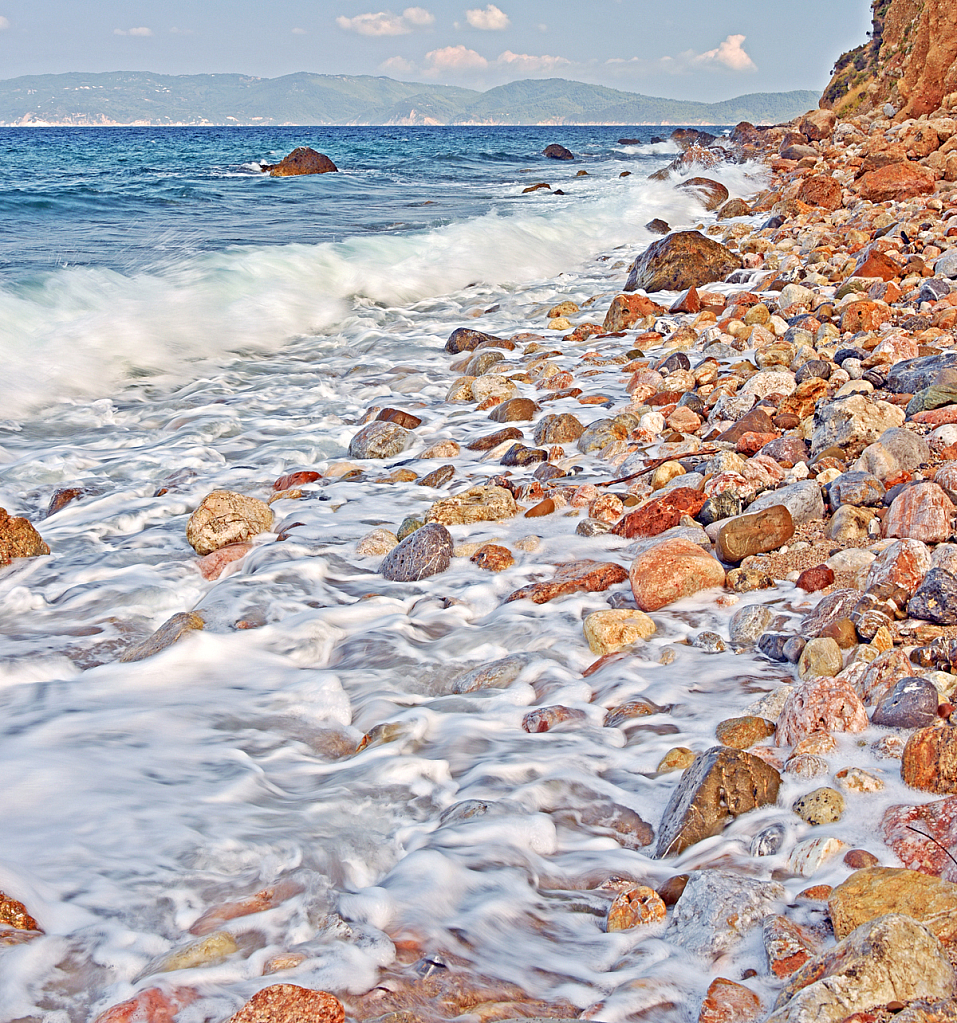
{"x":175,"y":322}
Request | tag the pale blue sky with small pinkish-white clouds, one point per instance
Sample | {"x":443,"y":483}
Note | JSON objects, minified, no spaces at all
{"x":685,"y":50}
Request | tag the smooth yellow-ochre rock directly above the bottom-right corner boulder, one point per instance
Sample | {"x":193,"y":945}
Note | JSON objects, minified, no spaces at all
{"x":875,"y":892}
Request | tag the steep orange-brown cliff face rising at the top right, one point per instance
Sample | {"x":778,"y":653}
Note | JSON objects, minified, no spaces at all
{"x":909,"y":63}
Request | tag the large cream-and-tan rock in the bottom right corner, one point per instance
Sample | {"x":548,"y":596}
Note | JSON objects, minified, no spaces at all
{"x":892,"y":959}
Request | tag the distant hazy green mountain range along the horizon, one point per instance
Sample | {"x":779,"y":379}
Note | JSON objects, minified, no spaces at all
{"x":144,"y":99}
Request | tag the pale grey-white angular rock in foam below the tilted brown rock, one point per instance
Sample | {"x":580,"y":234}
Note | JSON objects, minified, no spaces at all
{"x":718,"y":909}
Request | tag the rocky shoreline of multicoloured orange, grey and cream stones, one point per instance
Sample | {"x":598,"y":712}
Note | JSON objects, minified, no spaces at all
{"x":789,"y":417}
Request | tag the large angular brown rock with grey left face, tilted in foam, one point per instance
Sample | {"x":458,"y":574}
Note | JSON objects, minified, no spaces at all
{"x":721,"y":785}
